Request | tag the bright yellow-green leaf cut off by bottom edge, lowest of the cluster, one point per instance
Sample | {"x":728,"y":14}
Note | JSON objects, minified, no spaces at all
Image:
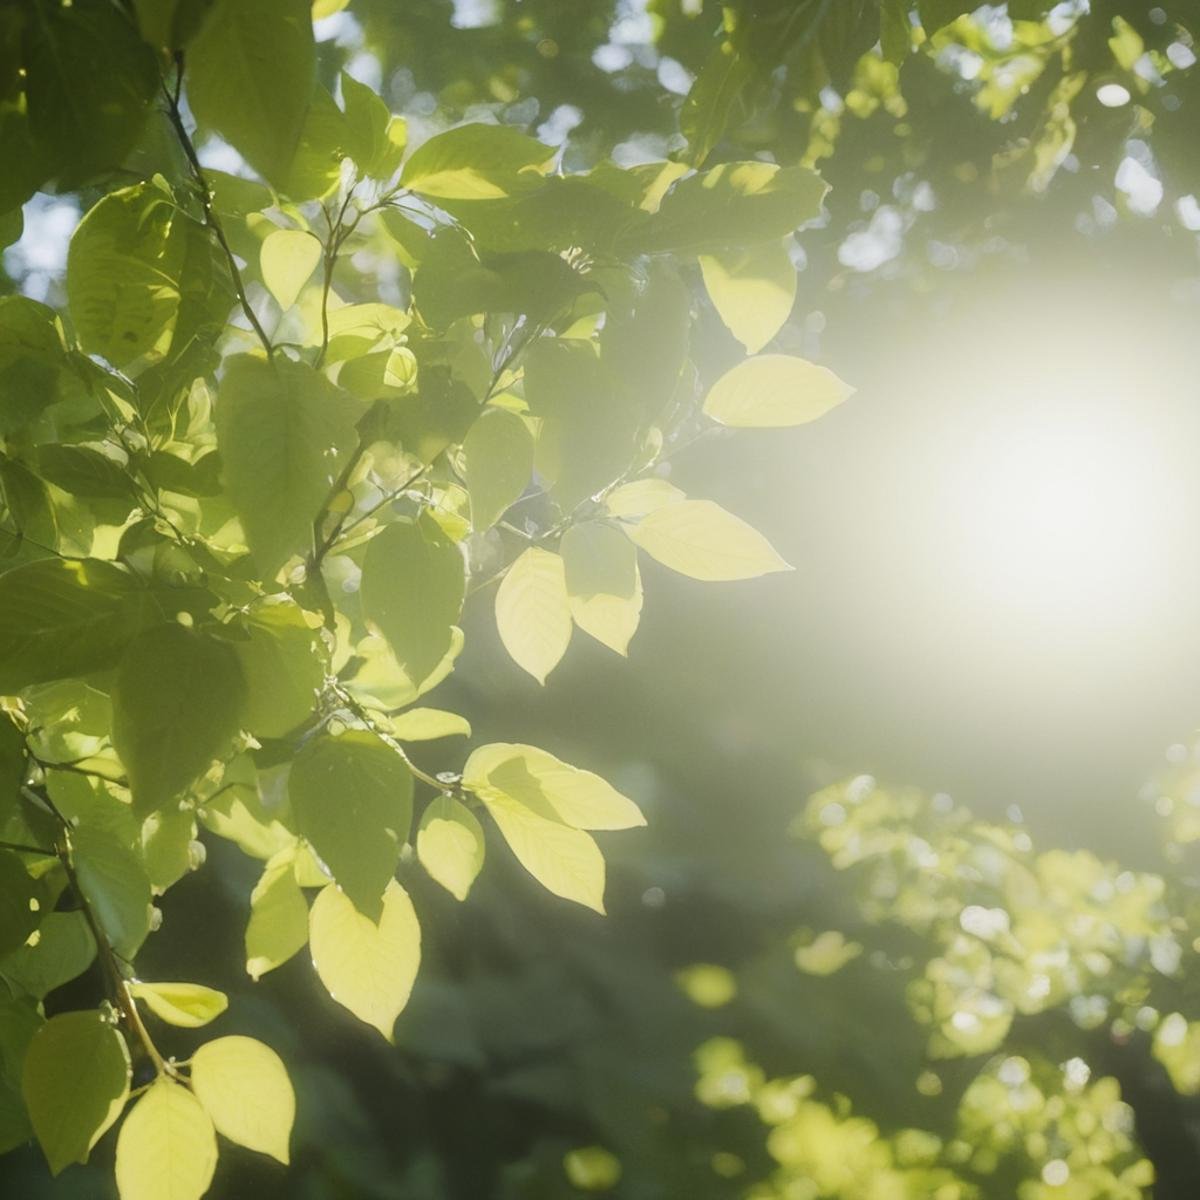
{"x":167,"y":1149}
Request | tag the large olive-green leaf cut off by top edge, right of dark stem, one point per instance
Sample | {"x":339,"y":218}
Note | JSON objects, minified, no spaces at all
{"x":250,"y":77}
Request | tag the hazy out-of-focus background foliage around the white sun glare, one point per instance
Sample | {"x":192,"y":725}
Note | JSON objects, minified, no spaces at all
{"x":874,"y":993}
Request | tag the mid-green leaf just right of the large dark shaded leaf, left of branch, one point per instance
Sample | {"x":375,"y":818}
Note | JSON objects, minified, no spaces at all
{"x":284,"y":664}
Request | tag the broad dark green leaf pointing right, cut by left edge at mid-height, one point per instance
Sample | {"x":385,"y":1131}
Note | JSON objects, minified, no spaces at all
{"x":62,"y":619}
